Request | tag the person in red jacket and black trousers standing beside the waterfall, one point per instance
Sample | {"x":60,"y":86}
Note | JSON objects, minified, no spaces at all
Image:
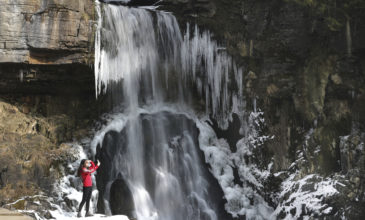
{"x":86,"y":168}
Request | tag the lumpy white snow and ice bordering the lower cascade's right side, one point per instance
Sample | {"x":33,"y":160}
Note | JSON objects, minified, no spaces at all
{"x":242,"y":200}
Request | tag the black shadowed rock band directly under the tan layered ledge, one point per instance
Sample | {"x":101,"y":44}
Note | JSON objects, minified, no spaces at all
{"x":68,"y":79}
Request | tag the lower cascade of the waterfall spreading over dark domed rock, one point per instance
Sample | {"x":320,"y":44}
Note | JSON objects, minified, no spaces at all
{"x":155,"y":155}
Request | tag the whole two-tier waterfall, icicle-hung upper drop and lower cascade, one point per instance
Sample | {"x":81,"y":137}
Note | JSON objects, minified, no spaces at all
{"x":151,"y":157}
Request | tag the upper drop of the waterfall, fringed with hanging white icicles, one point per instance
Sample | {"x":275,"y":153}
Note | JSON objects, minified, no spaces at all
{"x":134,"y":47}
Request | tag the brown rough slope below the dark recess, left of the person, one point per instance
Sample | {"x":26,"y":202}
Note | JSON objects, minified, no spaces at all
{"x":29,"y":149}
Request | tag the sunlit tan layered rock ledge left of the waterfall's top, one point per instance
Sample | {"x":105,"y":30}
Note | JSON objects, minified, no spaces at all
{"x":46,"y":31}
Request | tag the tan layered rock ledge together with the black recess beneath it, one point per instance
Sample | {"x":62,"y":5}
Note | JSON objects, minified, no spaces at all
{"x":38,"y":35}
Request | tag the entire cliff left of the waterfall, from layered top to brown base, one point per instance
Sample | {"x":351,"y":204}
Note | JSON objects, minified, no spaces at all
{"x":46,"y":94}
